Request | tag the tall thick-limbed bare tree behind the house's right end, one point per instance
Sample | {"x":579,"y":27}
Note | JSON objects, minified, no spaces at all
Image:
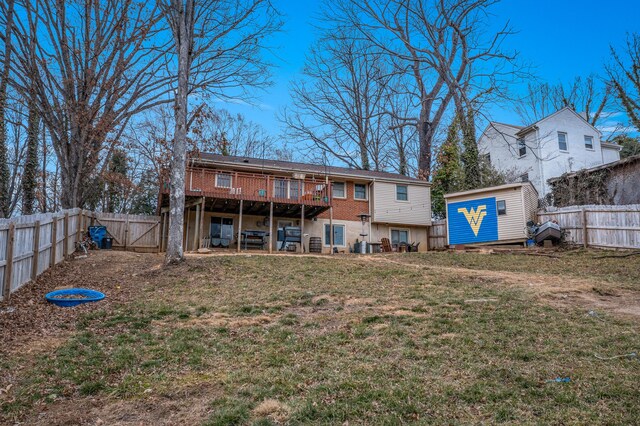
{"x":442,"y":44}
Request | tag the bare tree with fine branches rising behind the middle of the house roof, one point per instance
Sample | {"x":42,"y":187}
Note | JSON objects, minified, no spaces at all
{"x":338,"y":105}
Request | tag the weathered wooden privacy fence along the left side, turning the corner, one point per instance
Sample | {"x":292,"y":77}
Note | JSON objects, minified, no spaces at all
{"x":29,"y":245}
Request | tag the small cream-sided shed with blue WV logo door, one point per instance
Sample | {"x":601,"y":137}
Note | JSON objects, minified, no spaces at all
{"x":496,"y":215}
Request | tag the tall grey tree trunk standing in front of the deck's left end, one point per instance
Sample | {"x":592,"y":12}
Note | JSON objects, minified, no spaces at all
{"x":175,"y":250}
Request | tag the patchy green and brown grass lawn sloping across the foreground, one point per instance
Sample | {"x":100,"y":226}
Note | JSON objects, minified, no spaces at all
{"x":418,"y":338}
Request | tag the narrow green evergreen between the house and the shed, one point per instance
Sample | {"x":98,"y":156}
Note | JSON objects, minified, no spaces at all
{"x":449,"y":174}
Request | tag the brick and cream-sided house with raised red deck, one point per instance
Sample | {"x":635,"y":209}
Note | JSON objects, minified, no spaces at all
{"x":228,"y":198}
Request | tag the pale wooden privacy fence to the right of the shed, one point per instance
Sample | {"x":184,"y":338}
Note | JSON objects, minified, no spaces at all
{"x":599,"y":226}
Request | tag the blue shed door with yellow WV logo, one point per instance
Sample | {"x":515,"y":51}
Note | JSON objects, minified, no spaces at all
{"x":472,"y":221}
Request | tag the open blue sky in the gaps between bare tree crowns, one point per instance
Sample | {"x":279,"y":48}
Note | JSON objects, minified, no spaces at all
{"x":561,"y":38}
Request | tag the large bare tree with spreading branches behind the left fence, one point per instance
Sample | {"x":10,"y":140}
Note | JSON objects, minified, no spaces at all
{"x":91,"y":66}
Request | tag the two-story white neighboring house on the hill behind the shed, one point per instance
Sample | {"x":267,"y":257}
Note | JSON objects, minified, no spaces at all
{"x":559,"y":143}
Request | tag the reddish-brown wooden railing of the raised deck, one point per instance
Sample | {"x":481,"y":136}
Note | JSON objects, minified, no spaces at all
{"x":256,"y":187}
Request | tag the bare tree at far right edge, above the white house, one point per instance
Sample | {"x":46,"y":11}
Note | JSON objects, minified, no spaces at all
{"x":624,"y":74}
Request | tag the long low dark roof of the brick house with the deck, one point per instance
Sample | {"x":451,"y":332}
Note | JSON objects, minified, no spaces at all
{"x":248,"y":163}
